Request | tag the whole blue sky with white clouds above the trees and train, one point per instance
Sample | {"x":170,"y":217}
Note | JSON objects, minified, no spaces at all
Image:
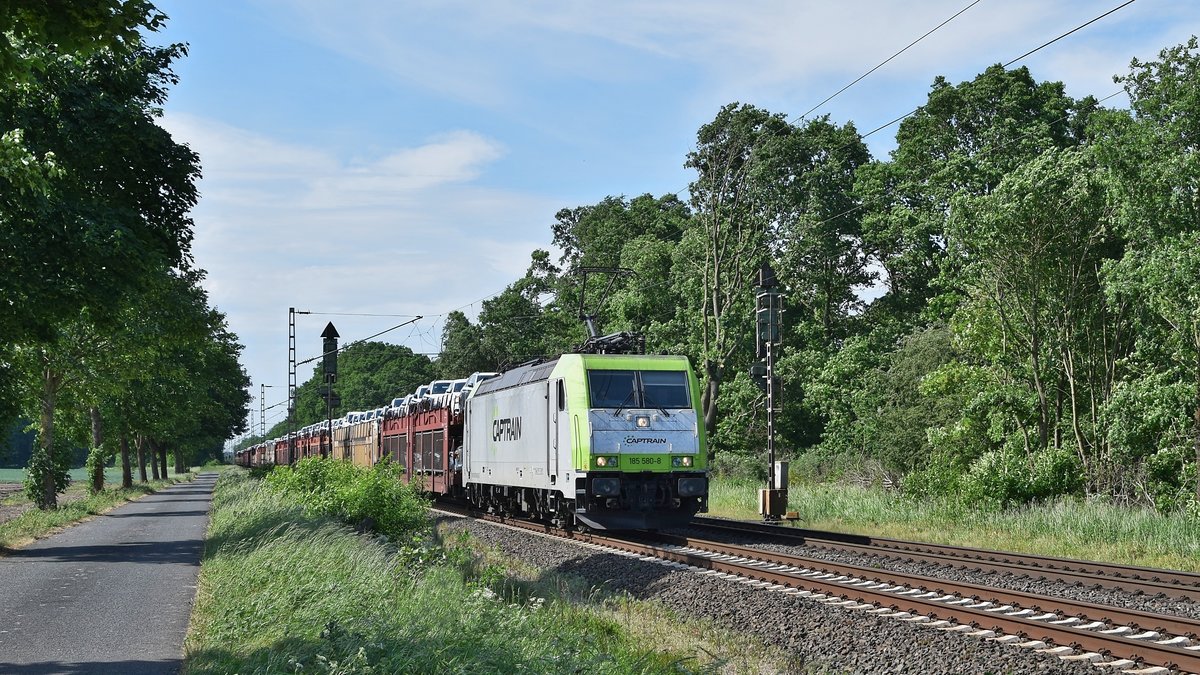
{"x":405,"y":158}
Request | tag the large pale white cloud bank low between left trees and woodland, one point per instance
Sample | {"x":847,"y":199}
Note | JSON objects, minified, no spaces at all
{"x":283,"y":225}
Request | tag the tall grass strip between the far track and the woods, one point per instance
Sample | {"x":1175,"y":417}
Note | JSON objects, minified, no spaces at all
{"x":1079,"y":529}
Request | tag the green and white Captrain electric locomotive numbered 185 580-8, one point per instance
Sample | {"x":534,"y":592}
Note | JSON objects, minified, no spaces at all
{"x":601,"y":440}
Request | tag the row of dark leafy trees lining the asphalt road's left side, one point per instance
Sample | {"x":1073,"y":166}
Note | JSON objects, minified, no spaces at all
{"x":111,"y":342}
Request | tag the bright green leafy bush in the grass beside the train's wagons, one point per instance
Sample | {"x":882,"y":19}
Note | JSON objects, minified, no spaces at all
{"x":376,"y":498}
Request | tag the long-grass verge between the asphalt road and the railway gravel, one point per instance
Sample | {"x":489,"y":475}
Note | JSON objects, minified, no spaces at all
{"x":287,"y":592}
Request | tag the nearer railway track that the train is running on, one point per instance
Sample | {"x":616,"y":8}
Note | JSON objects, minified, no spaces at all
{"x":1119,"y":640}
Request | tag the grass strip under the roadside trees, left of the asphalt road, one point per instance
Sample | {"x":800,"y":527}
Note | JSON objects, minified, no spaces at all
{"x":75,"y":505}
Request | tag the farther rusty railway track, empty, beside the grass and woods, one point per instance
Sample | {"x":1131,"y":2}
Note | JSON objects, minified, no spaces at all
{"x":1165,"y":583}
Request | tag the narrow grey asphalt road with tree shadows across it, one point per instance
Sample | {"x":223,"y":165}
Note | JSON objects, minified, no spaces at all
{"x":112,"y":595}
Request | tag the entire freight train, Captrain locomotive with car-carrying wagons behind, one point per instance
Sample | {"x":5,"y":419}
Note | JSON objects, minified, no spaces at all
{"x":607,"y":441}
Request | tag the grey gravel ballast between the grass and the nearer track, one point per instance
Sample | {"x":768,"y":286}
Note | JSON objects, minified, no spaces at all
{"x":826,"y":640}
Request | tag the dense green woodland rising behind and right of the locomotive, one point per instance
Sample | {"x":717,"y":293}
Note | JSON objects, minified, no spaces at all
{"x":1005,"y":309}
